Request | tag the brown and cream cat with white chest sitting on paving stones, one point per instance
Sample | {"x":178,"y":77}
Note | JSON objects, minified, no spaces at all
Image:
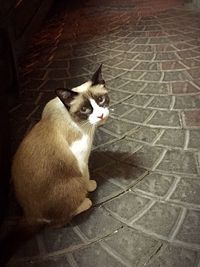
{"x":50,"y":168}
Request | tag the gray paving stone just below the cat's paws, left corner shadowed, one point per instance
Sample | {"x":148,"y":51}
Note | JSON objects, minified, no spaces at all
{"x":96,"y":223}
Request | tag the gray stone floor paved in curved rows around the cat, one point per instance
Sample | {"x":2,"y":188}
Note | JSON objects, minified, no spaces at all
{"x":146,"y":159}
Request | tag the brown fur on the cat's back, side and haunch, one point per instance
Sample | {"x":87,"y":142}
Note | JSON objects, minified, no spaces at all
{"x":48,"y":183}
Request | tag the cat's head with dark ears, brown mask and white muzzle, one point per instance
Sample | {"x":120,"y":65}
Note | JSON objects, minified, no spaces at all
{"x":87,"y":102}
